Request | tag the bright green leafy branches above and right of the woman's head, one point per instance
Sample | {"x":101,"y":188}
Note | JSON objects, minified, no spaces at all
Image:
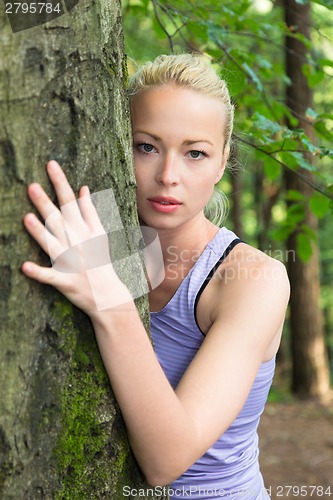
{"x":247,"y":46}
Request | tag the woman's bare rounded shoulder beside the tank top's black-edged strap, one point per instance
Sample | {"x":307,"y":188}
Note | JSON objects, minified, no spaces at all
{"x":247,"y":281}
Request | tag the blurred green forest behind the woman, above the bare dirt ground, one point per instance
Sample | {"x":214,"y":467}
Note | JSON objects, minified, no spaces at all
{"x":275,"y":139}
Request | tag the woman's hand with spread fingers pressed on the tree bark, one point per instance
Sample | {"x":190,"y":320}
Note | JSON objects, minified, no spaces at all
{"x":77,"y":244}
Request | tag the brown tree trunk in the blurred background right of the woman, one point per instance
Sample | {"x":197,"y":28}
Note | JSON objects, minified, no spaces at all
{"x":310,"y":367}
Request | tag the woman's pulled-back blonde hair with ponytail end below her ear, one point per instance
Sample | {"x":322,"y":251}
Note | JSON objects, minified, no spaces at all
{"x":193,"y":72}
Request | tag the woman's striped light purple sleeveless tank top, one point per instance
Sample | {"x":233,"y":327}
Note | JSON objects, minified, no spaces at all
{"x":230,"y":468}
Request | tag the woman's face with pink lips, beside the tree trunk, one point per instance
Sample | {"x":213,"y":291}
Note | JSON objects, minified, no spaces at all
{"x":178,"y":153}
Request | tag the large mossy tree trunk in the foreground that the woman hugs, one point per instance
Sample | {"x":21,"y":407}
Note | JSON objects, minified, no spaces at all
{"x":61,"y":97}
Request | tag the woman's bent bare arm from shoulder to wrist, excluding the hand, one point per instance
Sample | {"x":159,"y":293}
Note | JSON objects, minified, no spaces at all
{"x":169,"y":430}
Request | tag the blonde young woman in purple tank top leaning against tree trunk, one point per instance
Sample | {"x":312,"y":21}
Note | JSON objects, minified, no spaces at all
{"x":192,"y":404}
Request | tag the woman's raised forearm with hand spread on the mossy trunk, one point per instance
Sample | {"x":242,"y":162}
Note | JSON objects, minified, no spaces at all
{"x":155,"y":419}
